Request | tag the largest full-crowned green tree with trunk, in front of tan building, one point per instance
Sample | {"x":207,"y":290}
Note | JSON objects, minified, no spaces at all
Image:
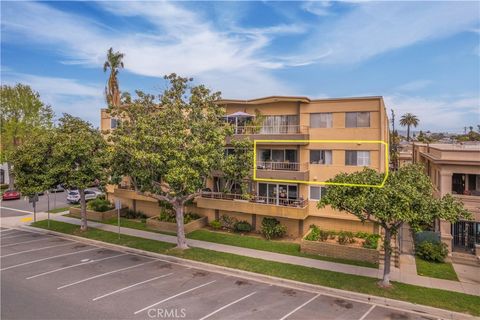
{"x":174,"y":144}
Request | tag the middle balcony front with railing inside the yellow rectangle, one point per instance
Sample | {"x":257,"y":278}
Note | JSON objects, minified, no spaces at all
{"x":282,"y":170}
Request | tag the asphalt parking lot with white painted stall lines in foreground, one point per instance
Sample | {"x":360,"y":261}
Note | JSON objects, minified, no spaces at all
{"x":49,"y":277}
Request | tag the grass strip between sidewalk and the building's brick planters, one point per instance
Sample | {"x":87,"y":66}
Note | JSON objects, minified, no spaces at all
{"x":283,"y":247}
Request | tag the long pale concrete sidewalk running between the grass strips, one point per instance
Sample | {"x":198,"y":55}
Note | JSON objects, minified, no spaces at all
{"x":404,"y":275}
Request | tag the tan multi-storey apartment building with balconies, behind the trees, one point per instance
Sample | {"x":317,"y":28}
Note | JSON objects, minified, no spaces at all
{"x":299,"y":119}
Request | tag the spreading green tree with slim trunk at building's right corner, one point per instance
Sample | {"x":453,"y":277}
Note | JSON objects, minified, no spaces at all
{"x":406,"y":197}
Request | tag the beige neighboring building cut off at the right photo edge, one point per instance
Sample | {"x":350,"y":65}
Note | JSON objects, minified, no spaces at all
{"x":455,"y":169}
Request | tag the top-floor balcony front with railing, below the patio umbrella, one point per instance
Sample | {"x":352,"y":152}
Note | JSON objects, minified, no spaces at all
{"x":280,"y":132}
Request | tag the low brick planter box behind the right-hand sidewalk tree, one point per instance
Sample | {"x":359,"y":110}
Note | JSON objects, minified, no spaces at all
{"x":339,"y":251}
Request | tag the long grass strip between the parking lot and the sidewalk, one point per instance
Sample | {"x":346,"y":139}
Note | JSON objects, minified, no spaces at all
{"x":432,"y":297}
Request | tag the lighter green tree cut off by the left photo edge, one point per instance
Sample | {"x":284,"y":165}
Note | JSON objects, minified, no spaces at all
{"x":22,"y":114}
